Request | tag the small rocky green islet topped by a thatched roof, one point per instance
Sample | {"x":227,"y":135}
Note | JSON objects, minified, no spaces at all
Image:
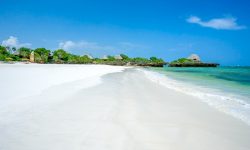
{"x":192,"y":61}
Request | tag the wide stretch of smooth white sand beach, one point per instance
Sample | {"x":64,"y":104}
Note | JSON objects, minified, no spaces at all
{"x":98,"y":107}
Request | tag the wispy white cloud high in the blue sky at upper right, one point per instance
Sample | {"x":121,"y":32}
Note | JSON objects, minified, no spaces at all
{"x":227,"y":23}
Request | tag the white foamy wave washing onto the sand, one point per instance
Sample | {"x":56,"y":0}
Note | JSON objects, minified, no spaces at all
{"x":231,"y":104}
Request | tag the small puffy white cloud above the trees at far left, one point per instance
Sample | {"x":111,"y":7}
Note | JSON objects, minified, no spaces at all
{"x":14,"y":42}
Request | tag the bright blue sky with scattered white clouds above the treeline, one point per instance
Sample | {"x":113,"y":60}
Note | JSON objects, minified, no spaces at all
{"x":218,"y":31}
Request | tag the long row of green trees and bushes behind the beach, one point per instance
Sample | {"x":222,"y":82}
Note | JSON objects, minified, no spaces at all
{"x":60,"y":56}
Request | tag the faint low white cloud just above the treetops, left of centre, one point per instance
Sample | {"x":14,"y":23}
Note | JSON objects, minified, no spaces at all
{"x":82,"y":45}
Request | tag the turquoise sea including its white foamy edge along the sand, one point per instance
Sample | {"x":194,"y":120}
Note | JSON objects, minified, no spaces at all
{"x":225,"y":88}
